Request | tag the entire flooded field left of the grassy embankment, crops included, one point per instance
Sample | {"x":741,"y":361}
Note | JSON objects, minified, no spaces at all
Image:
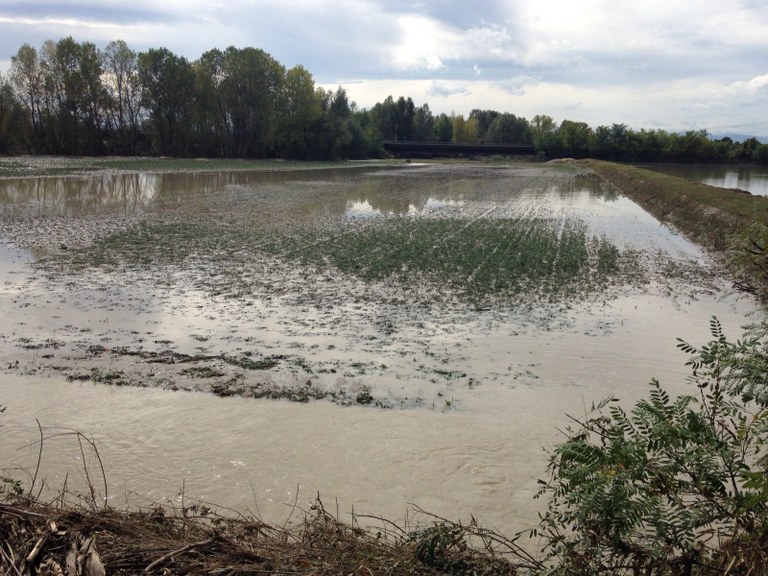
{"x":385,"y":336}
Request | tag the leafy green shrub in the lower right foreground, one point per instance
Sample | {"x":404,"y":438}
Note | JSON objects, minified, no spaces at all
{"x":676,"y":485}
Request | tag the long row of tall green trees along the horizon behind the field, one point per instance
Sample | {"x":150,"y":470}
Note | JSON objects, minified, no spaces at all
{"x":72,"y":98}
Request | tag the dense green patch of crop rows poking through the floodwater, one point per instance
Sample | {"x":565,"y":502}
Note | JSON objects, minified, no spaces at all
{"x":481,"y":259}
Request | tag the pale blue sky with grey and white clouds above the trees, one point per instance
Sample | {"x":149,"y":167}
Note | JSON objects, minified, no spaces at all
{"x":654,"y":64}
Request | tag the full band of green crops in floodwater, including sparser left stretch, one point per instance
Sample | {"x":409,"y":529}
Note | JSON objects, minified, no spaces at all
{"x":480,"y":260}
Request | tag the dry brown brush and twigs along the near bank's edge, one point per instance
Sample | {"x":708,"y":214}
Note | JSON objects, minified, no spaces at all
{"x":38,"y":538}
